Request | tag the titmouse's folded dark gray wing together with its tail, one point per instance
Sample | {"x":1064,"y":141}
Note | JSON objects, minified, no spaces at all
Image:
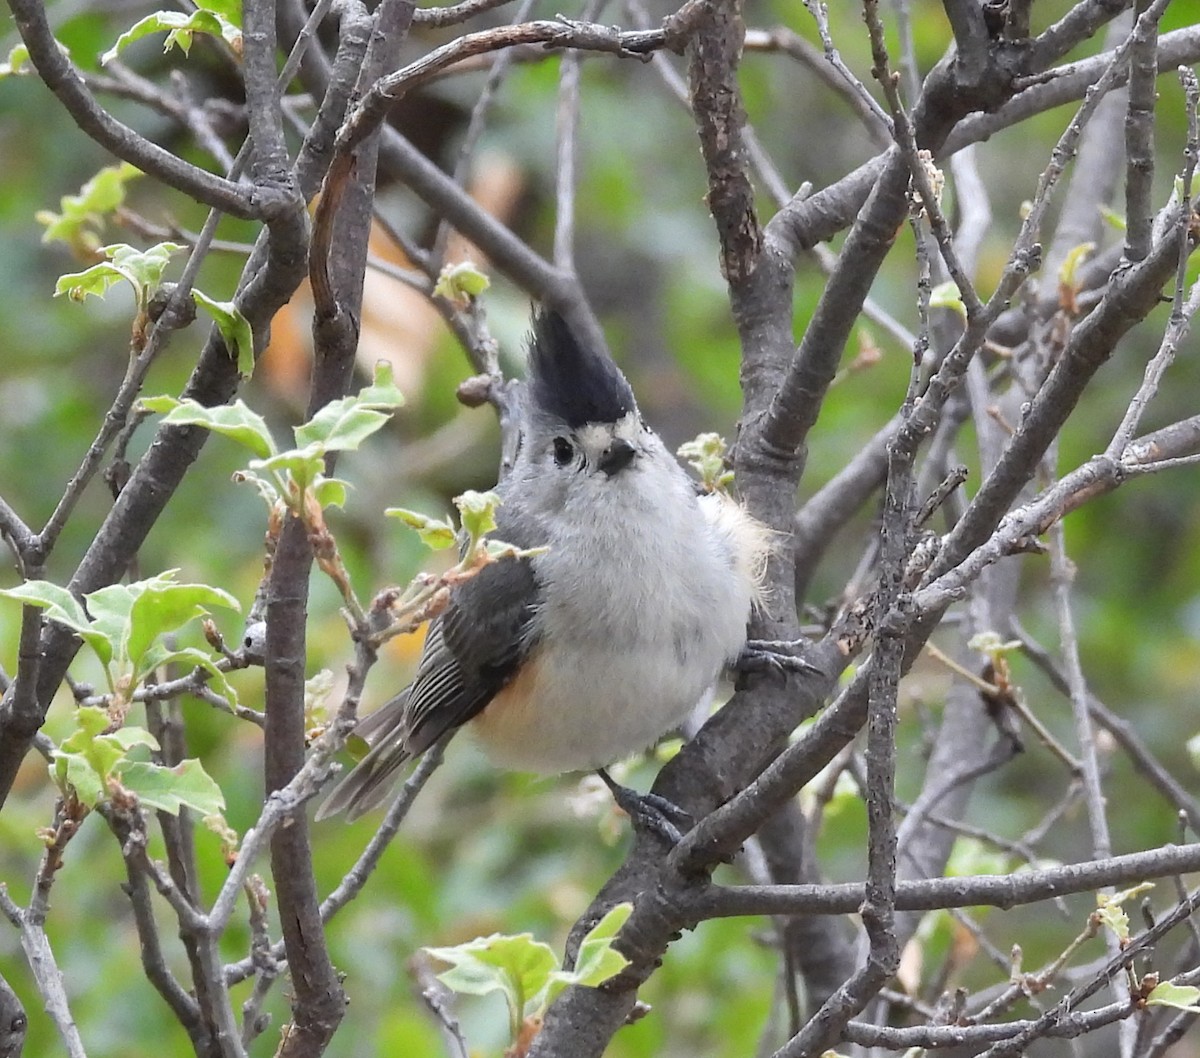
{"x":471,"y":653}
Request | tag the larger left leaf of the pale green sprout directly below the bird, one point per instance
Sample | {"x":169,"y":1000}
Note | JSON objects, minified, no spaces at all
{"x":518,"y":966}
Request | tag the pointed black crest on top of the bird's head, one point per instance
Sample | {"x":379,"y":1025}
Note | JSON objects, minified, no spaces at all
{"x":572,"y":382}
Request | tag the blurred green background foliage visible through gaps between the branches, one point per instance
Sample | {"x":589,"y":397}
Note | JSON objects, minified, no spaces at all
{"x":487,"y":851}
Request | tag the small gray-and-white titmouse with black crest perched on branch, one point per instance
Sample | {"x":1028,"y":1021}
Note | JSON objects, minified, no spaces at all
{"x":596,"y":648}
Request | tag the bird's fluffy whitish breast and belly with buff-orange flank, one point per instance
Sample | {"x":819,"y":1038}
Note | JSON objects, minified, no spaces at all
{"x":646,"y":599}
